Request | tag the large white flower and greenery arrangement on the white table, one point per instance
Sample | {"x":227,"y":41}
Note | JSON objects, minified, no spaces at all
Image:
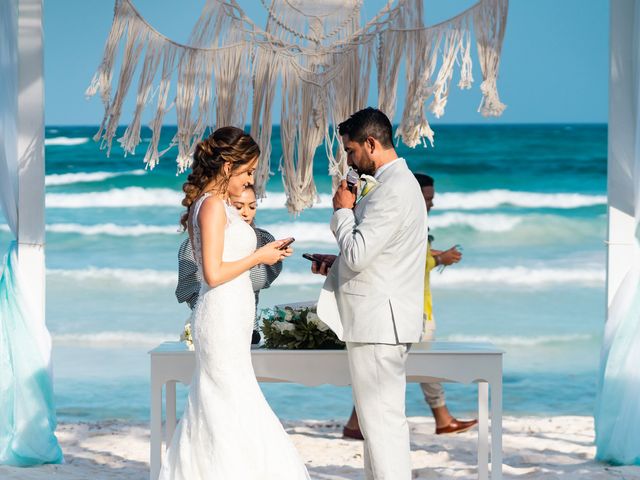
{"x":297,"y":326}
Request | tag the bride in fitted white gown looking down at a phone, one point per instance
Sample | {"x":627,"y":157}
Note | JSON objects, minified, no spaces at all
{"x":227,"y":430}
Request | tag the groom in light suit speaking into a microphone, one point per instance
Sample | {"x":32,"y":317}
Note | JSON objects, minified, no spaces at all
{"x":373,"y":295}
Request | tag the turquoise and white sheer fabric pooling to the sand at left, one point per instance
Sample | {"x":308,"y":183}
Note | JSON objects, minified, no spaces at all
{"x":27,"y":413}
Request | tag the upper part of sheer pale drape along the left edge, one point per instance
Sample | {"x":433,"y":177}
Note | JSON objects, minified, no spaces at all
{"x":8,"y":109}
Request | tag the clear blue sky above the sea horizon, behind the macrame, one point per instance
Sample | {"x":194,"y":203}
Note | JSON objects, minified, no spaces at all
{"x":554,"y":67}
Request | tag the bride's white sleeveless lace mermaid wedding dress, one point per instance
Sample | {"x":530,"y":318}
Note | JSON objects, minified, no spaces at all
{"x":228,"y":431}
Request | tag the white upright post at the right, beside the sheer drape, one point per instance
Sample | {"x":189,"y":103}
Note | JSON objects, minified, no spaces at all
{"x":622,"y":126}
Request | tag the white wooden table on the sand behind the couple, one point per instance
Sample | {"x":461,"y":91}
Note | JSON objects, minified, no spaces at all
{"x":479,"y":363}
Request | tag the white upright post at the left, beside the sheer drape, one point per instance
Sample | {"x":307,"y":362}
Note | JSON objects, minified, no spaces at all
{"x":31,"y":161}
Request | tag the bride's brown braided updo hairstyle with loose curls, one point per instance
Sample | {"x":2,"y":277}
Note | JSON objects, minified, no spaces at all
{"x":226,"y":144}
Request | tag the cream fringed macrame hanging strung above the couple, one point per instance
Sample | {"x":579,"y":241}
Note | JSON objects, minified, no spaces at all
{"x":320,"y":56}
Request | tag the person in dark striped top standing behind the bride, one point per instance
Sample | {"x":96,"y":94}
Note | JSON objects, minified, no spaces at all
{"x":262,"y":276}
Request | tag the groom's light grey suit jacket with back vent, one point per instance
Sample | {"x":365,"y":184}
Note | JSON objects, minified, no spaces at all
{"x":374,"y":292}
